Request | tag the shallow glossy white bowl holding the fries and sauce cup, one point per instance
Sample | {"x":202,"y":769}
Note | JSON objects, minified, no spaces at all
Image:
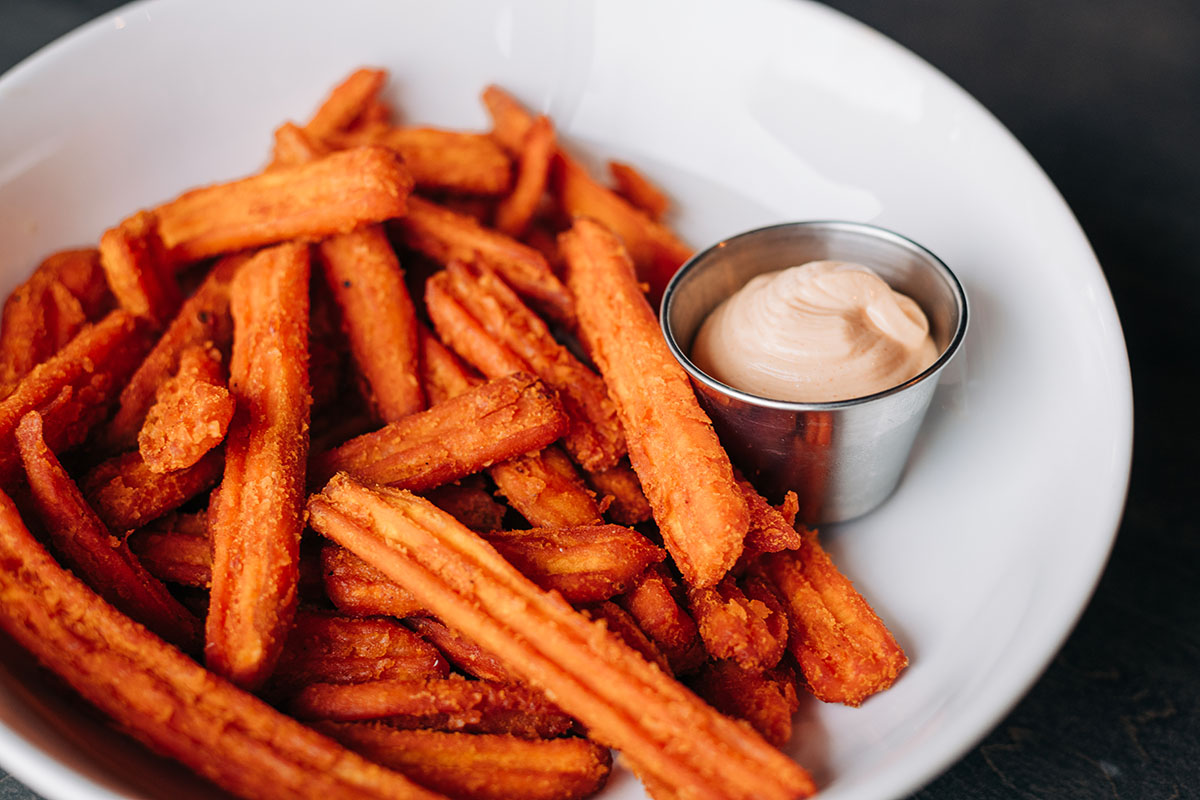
{"x":749,"y":115}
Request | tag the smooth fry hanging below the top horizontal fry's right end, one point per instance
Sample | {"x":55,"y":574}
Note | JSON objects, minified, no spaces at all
{"x":365,"y":279}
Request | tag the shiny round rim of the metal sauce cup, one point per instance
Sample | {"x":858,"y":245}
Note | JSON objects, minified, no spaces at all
{"x":952,"y":347}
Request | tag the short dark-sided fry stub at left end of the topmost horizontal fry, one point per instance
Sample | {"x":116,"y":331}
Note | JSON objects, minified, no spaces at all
{"x":133,"y":257}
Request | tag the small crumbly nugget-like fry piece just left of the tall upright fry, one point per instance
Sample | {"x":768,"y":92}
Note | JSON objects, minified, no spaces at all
{"x":191,"y":413}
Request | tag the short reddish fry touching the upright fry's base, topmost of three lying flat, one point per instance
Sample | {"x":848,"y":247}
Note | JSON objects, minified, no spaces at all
{"x":329,"y":649}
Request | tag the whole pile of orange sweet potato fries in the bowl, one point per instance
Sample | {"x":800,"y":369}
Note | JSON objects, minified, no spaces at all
{"x":320,"y":526}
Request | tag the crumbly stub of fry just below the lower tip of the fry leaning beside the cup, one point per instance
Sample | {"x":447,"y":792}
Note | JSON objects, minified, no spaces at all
{"x":746,"y":624}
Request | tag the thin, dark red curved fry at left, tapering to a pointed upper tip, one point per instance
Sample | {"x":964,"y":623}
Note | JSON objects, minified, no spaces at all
{"x":92,"y":552}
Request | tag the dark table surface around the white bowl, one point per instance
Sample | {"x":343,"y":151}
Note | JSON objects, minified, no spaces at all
{"x":1106,"y":94}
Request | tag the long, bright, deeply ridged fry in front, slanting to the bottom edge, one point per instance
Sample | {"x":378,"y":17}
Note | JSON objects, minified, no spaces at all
{"x":665,"y":731}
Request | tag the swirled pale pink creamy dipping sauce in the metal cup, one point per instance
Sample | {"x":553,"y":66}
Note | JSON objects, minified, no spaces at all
{"x":813,"y":334}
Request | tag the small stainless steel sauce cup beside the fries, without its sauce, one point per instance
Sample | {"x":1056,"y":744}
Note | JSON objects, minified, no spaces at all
{"x":843,"y":459}
